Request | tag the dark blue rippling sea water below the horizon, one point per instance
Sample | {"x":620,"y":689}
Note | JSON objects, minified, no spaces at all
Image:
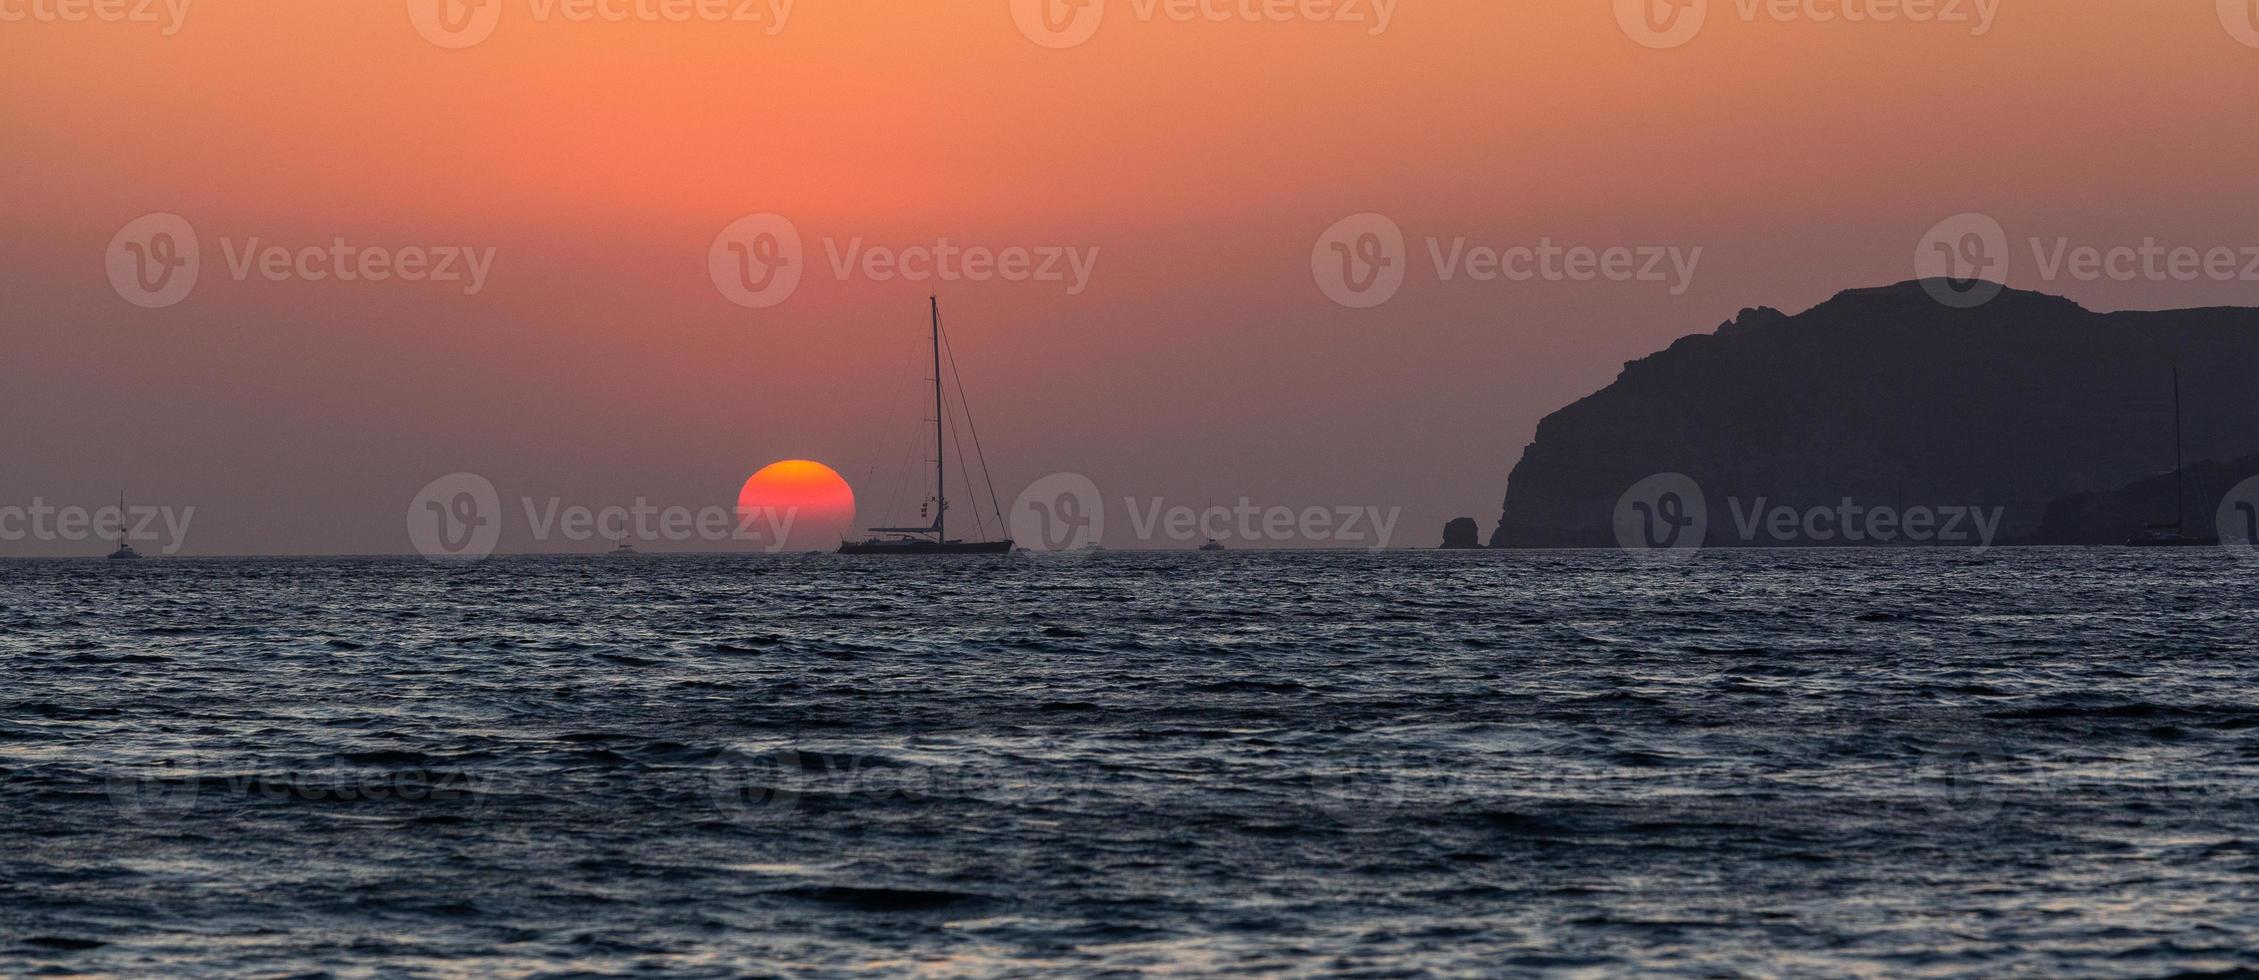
{"x":1384,"y":764}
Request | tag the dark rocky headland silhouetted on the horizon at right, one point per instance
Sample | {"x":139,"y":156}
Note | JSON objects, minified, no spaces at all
{"x":1892,"y":399}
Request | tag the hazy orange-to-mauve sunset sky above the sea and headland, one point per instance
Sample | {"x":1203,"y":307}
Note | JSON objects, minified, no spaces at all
{"x":1198,"y":159}
